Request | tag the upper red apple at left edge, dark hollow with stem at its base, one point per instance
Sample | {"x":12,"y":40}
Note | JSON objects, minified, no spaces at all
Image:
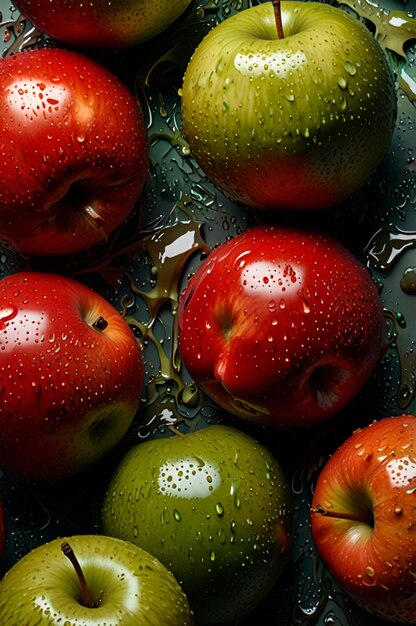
{"x":74,"y":144}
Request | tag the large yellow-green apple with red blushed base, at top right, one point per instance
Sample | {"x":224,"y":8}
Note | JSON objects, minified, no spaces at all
{"x":296,"y":123}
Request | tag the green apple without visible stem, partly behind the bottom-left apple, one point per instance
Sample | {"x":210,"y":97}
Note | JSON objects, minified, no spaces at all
{"x":214,"y":507}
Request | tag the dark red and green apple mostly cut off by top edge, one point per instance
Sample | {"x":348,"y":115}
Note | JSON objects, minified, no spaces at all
{"x":100,"y":23}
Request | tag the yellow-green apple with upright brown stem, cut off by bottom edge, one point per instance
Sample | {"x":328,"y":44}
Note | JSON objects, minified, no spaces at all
{"x":91,"y":580}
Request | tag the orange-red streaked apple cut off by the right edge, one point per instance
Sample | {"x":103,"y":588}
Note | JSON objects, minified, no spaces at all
{"x":374,"y":470}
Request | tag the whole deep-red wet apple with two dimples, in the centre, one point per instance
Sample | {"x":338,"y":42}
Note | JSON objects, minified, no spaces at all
{"x":281,"y":326}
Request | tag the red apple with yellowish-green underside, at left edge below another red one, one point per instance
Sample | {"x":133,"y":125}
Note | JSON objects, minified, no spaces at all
{"x":69,"y":391}
